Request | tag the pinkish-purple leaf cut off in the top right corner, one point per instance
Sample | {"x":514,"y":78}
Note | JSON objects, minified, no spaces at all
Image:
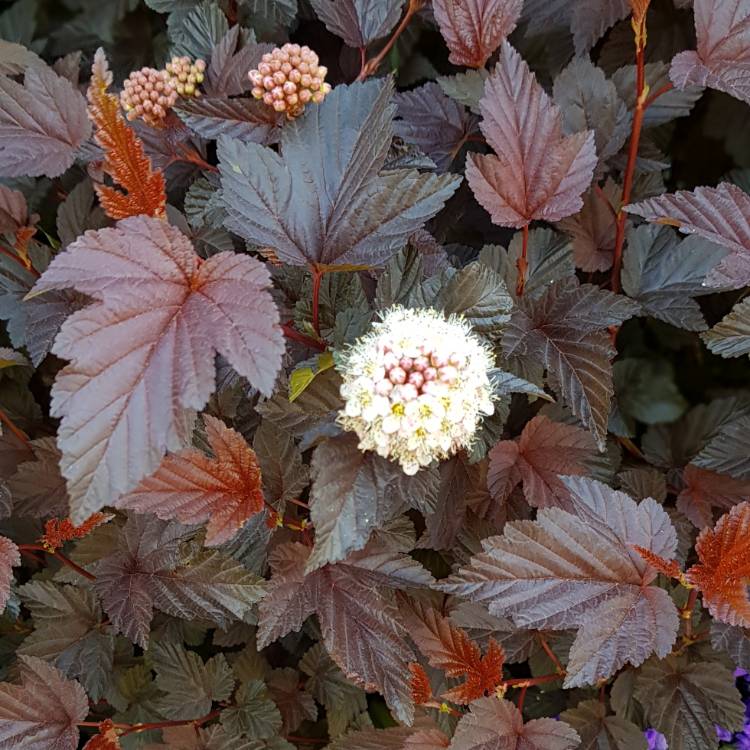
{"x":722,"y":58}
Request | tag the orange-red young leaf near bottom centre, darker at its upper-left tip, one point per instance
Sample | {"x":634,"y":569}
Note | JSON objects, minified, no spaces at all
{"x":449,"y":648}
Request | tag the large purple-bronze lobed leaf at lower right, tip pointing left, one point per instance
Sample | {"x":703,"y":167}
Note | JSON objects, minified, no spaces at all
{"x":579,"y":570}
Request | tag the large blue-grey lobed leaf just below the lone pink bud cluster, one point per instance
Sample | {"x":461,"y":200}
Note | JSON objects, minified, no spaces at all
{"x":324,"y":199}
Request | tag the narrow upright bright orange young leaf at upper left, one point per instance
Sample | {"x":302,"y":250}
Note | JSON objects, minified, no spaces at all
{"x":125,"y":161}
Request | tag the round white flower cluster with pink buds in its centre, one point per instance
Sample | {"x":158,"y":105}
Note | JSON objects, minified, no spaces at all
{"x":416,"y":387}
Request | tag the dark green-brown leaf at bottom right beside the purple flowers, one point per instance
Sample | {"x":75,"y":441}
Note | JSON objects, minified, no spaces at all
{"x":684,"y":700}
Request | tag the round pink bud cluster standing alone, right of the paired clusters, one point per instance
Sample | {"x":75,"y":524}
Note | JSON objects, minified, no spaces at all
{"x":288,"y":78}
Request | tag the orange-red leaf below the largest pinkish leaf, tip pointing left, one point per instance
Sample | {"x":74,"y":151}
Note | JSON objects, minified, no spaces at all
{"x":191,"y":487}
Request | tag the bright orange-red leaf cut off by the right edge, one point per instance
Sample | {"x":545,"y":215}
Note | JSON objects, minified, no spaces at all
{"x":723,"y":572}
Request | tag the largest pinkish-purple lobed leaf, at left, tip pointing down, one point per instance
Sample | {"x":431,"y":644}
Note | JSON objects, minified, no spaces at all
{"x":143,"y":353}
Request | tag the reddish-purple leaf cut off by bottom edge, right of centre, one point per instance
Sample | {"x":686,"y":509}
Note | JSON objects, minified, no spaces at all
{"x":496,"y":724}
